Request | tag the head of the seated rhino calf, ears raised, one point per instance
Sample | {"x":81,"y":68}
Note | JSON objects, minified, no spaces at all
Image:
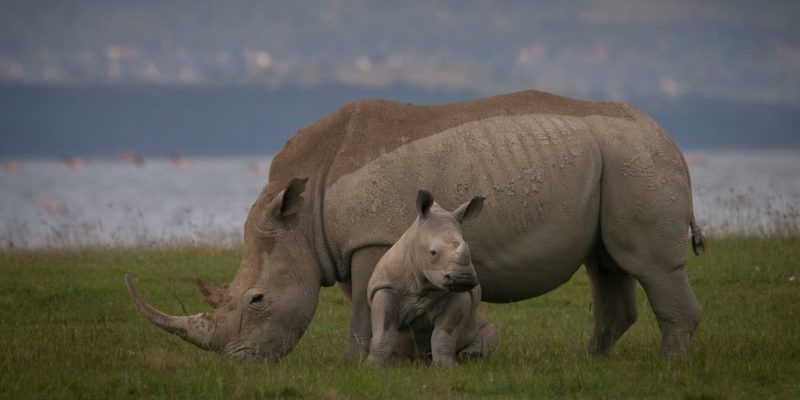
{"x":439,"y":248}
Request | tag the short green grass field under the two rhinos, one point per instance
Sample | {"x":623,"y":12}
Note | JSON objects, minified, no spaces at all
{"x":69,"y":330}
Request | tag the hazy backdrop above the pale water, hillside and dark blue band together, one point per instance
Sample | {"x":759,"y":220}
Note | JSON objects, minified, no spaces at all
{"x":203,"y":76}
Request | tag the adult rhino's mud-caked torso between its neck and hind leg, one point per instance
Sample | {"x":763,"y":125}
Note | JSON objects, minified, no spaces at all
{"x":534,"y":156}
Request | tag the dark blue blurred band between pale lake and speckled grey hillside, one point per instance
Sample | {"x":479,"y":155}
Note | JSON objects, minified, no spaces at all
{"x":100,"y":121}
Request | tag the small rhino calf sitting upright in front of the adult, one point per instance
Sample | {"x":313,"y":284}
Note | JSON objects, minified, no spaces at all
{"x":424,"y":292}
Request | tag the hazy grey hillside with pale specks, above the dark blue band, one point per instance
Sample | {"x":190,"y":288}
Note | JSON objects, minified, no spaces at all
{"x":732,"y":49}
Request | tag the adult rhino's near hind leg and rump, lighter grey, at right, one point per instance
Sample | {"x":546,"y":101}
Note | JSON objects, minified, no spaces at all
{"x":645,"y":215}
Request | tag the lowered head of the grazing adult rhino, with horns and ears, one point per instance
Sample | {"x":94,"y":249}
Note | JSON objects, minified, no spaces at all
{"x":267,"y":307}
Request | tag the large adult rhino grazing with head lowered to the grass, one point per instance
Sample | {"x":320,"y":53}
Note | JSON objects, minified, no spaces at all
{"x":567,"y":181}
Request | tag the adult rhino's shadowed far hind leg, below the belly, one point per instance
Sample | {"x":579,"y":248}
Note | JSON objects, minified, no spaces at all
{"x":613,"y":302}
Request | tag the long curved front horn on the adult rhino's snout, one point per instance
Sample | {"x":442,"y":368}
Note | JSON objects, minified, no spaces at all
{"x":196,"y":329}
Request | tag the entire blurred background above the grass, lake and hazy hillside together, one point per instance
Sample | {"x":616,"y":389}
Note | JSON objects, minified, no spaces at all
{"x":134,"y":122}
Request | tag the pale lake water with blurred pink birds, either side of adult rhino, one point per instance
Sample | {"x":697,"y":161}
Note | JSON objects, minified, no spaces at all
{"x":205,"y":200}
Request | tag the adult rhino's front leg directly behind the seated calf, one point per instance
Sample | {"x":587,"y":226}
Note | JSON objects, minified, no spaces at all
{"x":361,"y":266}
